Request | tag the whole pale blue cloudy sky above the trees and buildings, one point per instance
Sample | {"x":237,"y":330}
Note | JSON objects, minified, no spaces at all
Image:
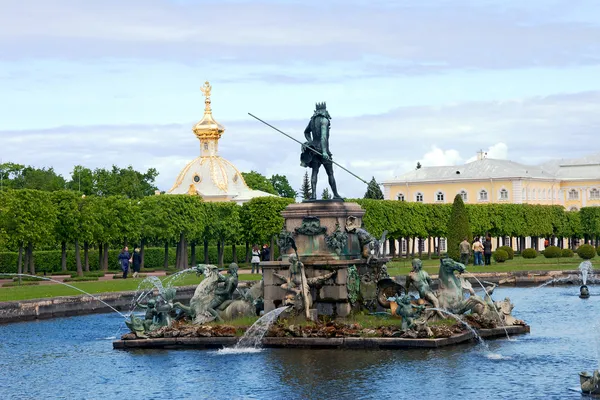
{"x":98,"y":83}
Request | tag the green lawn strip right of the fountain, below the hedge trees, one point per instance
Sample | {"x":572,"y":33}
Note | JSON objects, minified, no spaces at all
{"x":540,"y":263}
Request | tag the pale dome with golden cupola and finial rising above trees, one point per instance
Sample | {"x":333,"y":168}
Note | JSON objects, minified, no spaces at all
{"x":211,"y":176}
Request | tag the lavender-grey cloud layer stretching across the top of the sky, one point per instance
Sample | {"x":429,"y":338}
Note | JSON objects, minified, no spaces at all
{"x":408,"y":38}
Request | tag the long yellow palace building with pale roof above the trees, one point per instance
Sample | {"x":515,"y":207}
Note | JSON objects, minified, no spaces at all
{"x":572,"y":183}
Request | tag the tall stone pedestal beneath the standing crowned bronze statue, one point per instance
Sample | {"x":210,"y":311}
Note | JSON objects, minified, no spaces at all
{"x":310,"y":224}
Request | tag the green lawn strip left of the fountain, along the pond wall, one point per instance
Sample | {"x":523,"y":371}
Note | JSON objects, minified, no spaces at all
{"x":112,"y":285}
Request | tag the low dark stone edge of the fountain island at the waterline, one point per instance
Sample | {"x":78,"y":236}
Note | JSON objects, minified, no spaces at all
{"x":373,"y":343}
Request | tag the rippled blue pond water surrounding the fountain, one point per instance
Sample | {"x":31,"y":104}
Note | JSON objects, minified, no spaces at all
{"x":73,"y":358}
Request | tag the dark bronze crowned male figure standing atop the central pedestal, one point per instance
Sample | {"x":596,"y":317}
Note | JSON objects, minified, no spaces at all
{"x":318,"y":127}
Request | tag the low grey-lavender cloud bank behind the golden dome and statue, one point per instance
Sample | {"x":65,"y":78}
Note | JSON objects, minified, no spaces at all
{"x":535,"y":130}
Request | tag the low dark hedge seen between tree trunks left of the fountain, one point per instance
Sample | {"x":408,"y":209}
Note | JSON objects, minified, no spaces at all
{"x":50,"y":261}
